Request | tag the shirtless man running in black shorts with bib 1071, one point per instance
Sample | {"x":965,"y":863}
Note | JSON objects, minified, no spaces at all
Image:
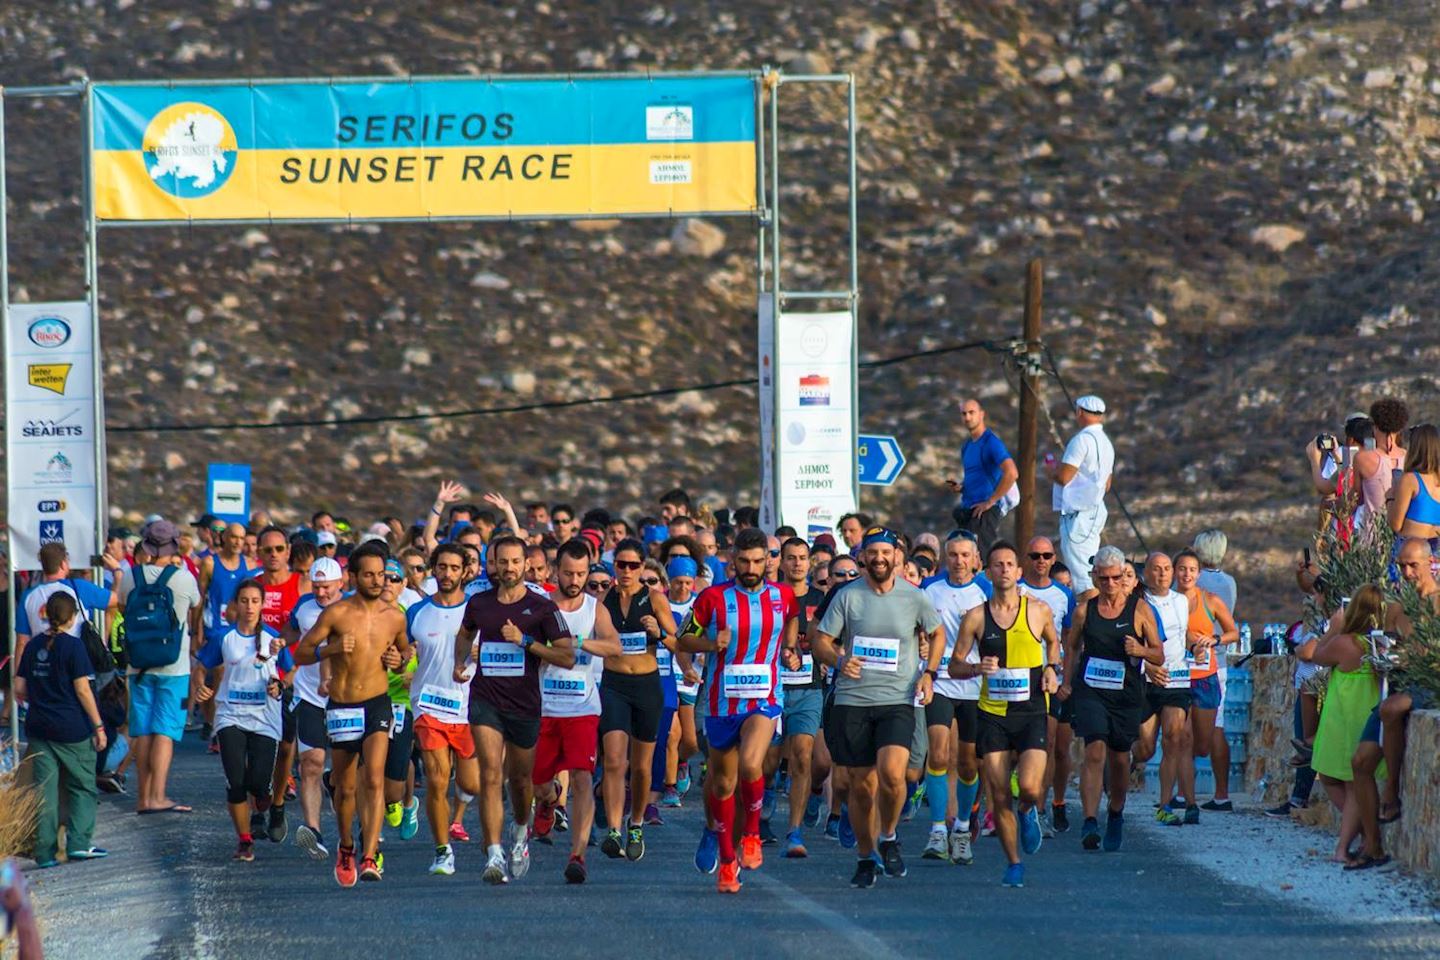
{"x":355,"y":635}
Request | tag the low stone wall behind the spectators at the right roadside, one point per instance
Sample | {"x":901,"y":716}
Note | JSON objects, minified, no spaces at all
{"x":1415,"y":841}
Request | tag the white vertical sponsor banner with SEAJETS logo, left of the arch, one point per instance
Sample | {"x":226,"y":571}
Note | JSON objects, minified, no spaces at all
{"x":51,"y":431}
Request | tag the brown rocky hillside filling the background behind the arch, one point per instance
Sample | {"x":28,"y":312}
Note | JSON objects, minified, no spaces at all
{"x":1230,"y":198}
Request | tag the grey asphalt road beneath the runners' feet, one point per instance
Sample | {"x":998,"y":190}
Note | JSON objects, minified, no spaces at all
{"x":171,"y":890}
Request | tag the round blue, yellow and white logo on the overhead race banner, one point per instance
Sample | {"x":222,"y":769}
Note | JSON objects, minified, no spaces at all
{"x":189,"y":150}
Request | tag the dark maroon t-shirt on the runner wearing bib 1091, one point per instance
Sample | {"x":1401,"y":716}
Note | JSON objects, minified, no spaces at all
{"x":508,"y":677}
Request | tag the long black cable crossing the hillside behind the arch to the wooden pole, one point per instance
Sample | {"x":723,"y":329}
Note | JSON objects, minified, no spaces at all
{"x":523,"y":408}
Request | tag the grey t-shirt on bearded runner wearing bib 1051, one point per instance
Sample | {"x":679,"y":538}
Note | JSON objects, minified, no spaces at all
{"x":881,"y":630}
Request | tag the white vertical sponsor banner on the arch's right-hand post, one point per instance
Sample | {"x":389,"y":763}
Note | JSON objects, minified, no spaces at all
{"x":816,"y":448}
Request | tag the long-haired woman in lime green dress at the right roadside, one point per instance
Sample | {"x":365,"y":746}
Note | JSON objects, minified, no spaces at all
{"x":1350,"y":699}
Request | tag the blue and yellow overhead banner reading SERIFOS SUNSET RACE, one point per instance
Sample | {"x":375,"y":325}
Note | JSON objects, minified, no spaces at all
{"x":426,"y":149}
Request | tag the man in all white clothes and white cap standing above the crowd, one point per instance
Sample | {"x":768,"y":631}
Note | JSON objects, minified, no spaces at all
{"x":1082,"y":479}
